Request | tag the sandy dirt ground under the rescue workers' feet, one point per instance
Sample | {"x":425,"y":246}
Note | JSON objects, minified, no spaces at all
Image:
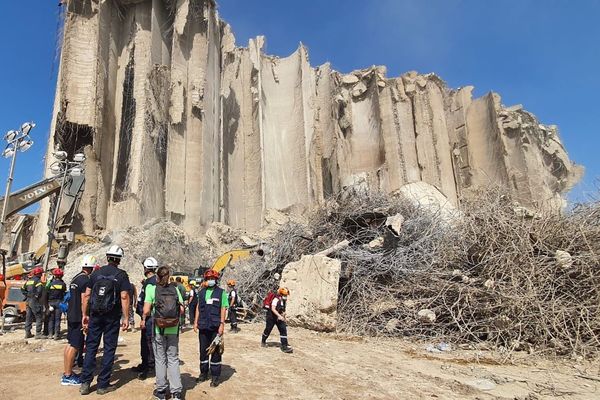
{"x":323,"y":366}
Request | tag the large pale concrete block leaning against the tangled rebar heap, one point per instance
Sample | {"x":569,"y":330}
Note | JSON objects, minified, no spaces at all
{"x":313,"y":283}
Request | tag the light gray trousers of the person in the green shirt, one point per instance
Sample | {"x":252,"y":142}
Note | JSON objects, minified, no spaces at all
{"x":166,"y":362}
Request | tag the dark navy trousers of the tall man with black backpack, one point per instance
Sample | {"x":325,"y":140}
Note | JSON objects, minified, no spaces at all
{"x":105,"y":328}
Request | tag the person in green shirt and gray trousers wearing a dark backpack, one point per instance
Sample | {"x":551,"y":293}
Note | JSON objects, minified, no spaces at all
{"x":164,"y":303}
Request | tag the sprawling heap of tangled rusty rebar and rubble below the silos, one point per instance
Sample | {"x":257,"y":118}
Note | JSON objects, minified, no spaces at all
{"x":496,"y":275}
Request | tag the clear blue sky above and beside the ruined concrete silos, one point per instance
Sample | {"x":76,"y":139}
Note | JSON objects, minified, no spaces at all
{"x":544,"y":54}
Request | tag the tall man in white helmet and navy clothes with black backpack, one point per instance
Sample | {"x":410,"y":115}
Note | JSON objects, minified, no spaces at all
{"x":104,"y":302}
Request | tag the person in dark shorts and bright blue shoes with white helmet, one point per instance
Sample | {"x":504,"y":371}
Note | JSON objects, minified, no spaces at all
{"x":75,"y":335}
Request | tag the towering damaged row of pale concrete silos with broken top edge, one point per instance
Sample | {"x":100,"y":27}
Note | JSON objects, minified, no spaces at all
{"x":178,"y":122}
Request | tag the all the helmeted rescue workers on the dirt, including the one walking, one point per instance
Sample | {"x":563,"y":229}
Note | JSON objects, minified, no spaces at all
{"x":99,"y":302}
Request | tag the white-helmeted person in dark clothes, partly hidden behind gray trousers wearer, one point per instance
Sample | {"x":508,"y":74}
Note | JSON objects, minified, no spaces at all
{"x":146,"y":367}
